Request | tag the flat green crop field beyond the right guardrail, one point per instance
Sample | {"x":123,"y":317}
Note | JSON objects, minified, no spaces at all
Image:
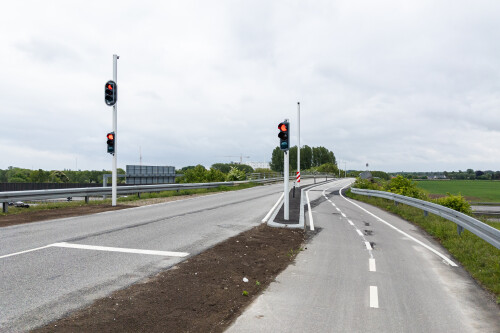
{"x":473,"y":190}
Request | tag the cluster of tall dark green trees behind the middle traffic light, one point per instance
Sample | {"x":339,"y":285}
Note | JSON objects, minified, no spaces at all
{"x":310,"y":157}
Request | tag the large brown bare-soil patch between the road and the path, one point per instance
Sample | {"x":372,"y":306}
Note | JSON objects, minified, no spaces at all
{"x":205,"y":293}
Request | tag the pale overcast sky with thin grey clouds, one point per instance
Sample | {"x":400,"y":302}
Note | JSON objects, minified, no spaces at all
{"x":401,"y":85}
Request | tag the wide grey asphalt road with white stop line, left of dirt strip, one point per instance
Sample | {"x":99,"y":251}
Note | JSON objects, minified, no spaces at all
{"x":52,"y":267}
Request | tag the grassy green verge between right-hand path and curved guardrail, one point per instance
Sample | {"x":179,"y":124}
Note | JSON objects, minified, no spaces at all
{"x":478,"y":257}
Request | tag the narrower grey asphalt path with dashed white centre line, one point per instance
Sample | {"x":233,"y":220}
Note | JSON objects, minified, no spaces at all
{"x":366,"y":270}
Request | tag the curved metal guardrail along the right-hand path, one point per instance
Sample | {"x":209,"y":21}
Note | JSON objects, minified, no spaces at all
{"x":463,"y":221}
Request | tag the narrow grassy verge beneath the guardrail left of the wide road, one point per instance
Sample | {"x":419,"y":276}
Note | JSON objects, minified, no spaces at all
{"x":125,"y":199}
